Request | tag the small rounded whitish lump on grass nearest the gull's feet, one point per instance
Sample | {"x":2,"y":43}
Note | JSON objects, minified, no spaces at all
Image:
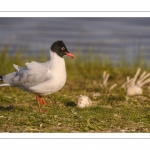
{"x":84,"y":101}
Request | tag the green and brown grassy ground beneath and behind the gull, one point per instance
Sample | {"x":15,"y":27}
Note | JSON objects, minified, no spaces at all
{"x":110,"y":111}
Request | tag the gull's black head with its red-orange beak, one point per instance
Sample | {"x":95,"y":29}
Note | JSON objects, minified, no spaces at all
{"x":60,"y":48}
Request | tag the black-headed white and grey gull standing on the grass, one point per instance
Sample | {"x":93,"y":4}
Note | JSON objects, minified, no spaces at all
{"x":41,"y":78}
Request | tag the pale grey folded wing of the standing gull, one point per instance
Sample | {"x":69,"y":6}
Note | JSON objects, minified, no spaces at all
{"x":32,"y":75}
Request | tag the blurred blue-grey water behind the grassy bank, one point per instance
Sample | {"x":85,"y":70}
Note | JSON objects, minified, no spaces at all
{"x":112,"y":37}
